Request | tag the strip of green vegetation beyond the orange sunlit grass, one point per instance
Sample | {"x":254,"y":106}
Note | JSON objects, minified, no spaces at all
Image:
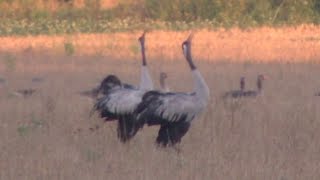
{"x":28,"y":18}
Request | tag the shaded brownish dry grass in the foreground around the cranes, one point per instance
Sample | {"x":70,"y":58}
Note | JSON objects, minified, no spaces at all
{"x":275,"y":136}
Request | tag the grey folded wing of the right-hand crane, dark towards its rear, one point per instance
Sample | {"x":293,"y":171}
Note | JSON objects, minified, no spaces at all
{"x":158,"y":108}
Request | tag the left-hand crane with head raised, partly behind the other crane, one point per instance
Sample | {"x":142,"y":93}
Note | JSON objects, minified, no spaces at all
{"x":120,"y":100}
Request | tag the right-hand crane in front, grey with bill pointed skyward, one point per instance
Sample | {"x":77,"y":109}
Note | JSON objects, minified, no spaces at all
{"x":174,"y":111}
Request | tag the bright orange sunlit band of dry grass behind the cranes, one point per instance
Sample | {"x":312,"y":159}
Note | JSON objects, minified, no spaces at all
{"x":291,"y":44}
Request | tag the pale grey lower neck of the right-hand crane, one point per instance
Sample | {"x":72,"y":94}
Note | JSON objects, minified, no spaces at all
{"x":200,"y":88}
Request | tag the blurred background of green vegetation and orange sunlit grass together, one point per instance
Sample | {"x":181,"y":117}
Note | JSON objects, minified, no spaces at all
{"x":240,"y":31}
